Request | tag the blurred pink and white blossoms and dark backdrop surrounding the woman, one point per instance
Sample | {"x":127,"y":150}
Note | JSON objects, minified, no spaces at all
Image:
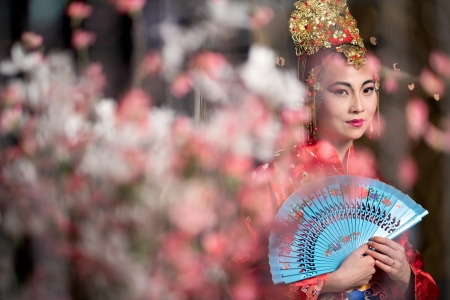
{"x":129,"y":130}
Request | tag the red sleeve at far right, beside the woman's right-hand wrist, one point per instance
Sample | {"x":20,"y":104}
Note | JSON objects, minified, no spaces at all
{"x":424,"y":285}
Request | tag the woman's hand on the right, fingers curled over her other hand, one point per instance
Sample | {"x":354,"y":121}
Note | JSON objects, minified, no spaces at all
{"x":390,"y":257}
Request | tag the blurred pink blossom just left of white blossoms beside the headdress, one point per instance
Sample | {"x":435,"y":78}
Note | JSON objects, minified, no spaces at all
{"x":211,"y":63}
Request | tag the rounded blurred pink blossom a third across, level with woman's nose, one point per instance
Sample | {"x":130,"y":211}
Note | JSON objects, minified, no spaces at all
{"x":134,"y":107}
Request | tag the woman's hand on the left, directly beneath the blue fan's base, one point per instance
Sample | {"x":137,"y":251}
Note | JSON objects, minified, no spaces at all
{"x":354,"y":271}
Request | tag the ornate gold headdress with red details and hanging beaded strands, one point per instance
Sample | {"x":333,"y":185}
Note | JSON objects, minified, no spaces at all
{"x":324,"y":24}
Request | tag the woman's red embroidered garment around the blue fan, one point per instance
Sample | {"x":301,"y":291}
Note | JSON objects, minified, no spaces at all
{"x":274,"y":182}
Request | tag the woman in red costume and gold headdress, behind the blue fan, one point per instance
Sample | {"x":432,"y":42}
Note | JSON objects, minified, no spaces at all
{"x":343,"y":99}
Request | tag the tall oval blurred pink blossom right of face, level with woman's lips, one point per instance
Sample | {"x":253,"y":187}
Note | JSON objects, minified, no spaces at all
{"x":417,"y":116}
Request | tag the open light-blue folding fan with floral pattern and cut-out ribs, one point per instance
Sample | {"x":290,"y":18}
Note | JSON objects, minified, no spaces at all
{"x":324,"y":221}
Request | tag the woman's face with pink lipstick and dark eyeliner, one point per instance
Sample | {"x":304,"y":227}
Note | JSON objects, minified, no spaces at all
{"x":349,"y":100}
